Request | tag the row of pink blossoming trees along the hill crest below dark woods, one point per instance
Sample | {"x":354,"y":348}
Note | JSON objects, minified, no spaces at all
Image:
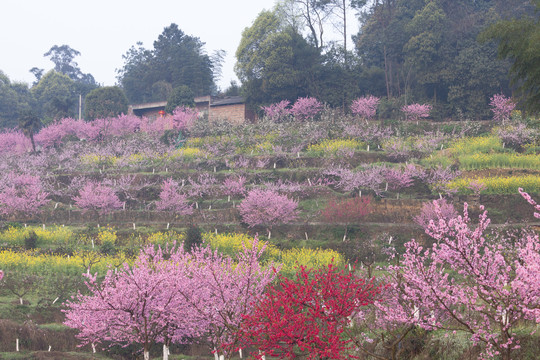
{"x":184,"y":118}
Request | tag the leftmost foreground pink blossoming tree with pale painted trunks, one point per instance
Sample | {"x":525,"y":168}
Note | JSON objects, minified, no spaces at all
{"x":137,"y":305}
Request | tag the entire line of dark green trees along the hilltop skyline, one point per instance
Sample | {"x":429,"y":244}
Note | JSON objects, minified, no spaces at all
{"x":452,"y":54}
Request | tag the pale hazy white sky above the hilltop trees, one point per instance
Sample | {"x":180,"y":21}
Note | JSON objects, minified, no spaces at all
{"x":103,"y":30}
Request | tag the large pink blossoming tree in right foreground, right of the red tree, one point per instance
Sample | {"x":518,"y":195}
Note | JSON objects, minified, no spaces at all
{"x":467,"y":283}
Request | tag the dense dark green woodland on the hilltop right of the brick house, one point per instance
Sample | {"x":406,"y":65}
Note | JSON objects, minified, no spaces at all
{"x":439,"y":52}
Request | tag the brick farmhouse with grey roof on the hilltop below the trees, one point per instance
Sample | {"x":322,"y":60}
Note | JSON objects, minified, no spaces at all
{"x":230,"y":108}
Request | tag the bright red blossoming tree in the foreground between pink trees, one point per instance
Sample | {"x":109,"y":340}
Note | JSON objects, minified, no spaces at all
{"x":307,"y":316}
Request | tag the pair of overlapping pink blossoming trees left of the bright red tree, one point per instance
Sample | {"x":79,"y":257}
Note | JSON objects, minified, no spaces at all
{"x":170,"y":296}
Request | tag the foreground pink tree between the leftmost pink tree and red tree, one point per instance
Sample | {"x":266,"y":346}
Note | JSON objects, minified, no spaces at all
{"x":229,"y":288}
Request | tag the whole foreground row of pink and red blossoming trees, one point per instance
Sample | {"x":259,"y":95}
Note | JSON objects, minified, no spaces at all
{"x":472,"y":281}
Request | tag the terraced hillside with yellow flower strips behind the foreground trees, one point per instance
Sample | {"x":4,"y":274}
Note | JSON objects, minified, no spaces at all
{"x":96,"y":192}
